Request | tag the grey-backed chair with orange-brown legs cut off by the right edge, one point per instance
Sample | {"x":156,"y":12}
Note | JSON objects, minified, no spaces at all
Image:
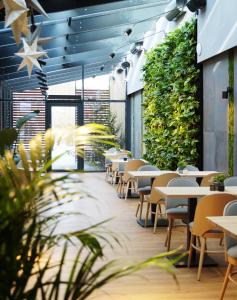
{"x":231,"y":249}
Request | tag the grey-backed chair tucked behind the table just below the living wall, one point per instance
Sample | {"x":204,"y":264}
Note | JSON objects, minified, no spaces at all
{"x":144,"y":188}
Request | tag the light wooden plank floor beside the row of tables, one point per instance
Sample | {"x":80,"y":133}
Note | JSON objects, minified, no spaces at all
{"x":138,"y":244}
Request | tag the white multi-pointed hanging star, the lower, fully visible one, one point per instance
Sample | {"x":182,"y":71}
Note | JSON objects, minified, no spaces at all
{"x":30,"y":56}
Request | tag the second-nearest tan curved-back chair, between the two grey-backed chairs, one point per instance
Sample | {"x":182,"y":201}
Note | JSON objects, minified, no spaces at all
{"x":154,"y":198}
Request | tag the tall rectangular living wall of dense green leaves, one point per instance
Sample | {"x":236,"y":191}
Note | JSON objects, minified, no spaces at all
{"x":171,"y":104}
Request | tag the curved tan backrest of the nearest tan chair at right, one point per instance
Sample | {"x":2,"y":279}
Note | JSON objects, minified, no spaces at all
{"x":211,"y":205}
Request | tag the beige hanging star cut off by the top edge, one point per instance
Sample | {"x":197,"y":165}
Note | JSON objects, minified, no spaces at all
{"x":16,"y":17}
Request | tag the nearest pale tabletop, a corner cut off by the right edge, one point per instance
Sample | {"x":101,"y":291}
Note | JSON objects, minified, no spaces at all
{"x":227,"y":223}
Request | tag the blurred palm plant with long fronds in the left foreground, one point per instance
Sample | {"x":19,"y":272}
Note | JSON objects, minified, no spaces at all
{"x":35,"y":259}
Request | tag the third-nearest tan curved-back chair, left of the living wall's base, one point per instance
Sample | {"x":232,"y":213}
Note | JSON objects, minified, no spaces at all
{"x":128,"y":182}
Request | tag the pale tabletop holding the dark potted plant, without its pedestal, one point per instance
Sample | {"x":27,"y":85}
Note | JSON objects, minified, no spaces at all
{"x":191,"y":192}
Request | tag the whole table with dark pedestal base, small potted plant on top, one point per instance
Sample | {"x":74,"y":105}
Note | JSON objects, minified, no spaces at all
{"x":192,"y":194}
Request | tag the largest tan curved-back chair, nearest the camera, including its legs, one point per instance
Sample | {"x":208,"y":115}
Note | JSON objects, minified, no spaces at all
{"x":211,"y":205}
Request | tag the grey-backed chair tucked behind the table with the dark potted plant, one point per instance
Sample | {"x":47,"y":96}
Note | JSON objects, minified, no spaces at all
{"x":177,"y":208}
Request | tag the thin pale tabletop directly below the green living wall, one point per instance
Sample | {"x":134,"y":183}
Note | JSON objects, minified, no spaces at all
{"x":151,"y":174}
